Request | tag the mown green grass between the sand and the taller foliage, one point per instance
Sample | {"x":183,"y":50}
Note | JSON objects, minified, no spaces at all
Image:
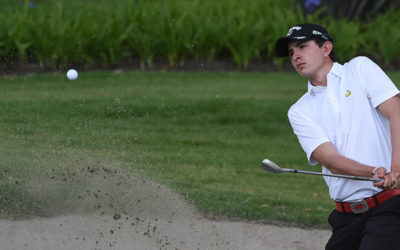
{"x":202,"y":134}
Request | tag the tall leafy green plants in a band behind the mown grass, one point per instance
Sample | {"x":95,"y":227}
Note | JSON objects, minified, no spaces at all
{"x":57,"y":33}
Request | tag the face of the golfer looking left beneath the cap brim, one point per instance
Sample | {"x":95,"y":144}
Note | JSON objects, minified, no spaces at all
{"x":306,"y":57}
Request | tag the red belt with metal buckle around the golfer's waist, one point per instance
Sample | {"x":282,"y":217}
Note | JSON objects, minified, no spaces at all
{"x":370,"y":202}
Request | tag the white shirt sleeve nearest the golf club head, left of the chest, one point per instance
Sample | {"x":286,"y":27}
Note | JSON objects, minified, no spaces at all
{"x":307,"y":129}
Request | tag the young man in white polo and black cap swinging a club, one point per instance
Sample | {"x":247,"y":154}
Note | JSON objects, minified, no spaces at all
{"x":349,"y":121}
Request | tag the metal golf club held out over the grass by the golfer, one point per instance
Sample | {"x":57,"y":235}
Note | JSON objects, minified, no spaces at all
{"x":272,"y":167}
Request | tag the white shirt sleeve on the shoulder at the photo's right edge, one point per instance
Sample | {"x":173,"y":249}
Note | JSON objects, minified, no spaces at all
{"x":375,"y":82}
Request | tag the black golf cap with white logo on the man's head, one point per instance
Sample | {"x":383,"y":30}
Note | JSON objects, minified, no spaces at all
{"x":305,"y":31}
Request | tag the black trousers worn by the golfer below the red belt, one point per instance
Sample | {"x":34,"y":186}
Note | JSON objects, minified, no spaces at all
{"x":376,"y":229}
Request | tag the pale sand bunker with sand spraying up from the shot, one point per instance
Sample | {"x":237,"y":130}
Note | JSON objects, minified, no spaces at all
{"x":117,"y":211}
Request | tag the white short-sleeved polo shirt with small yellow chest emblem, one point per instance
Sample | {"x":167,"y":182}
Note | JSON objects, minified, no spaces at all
{"x":344,"y":113}
